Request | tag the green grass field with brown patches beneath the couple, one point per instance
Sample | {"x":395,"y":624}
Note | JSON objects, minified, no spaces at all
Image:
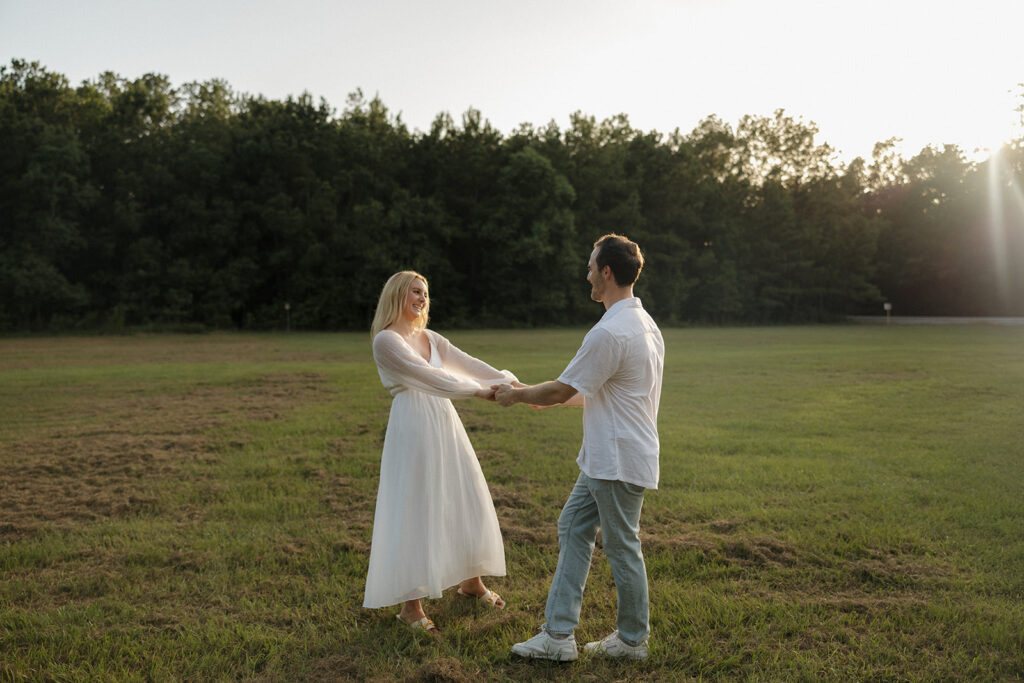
{"x":837,"y":503}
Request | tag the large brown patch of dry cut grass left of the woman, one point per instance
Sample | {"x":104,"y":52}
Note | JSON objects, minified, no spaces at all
{"x":108,"y":462}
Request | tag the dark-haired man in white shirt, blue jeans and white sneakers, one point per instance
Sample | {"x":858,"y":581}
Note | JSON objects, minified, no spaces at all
{"x":617,"y":377}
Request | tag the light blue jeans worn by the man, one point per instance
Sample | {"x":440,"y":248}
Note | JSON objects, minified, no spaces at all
{"x":615,"y":508}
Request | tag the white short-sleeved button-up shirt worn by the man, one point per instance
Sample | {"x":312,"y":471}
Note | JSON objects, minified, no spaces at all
{"x":619,"y":371}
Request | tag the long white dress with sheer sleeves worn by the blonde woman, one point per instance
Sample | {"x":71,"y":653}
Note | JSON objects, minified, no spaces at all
{"x":436,"y":524}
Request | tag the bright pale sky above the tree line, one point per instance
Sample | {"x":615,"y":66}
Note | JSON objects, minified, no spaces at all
{"x":931,"y":72}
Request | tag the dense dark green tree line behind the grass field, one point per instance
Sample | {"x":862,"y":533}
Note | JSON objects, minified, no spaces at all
{"x":134,"y":203}
